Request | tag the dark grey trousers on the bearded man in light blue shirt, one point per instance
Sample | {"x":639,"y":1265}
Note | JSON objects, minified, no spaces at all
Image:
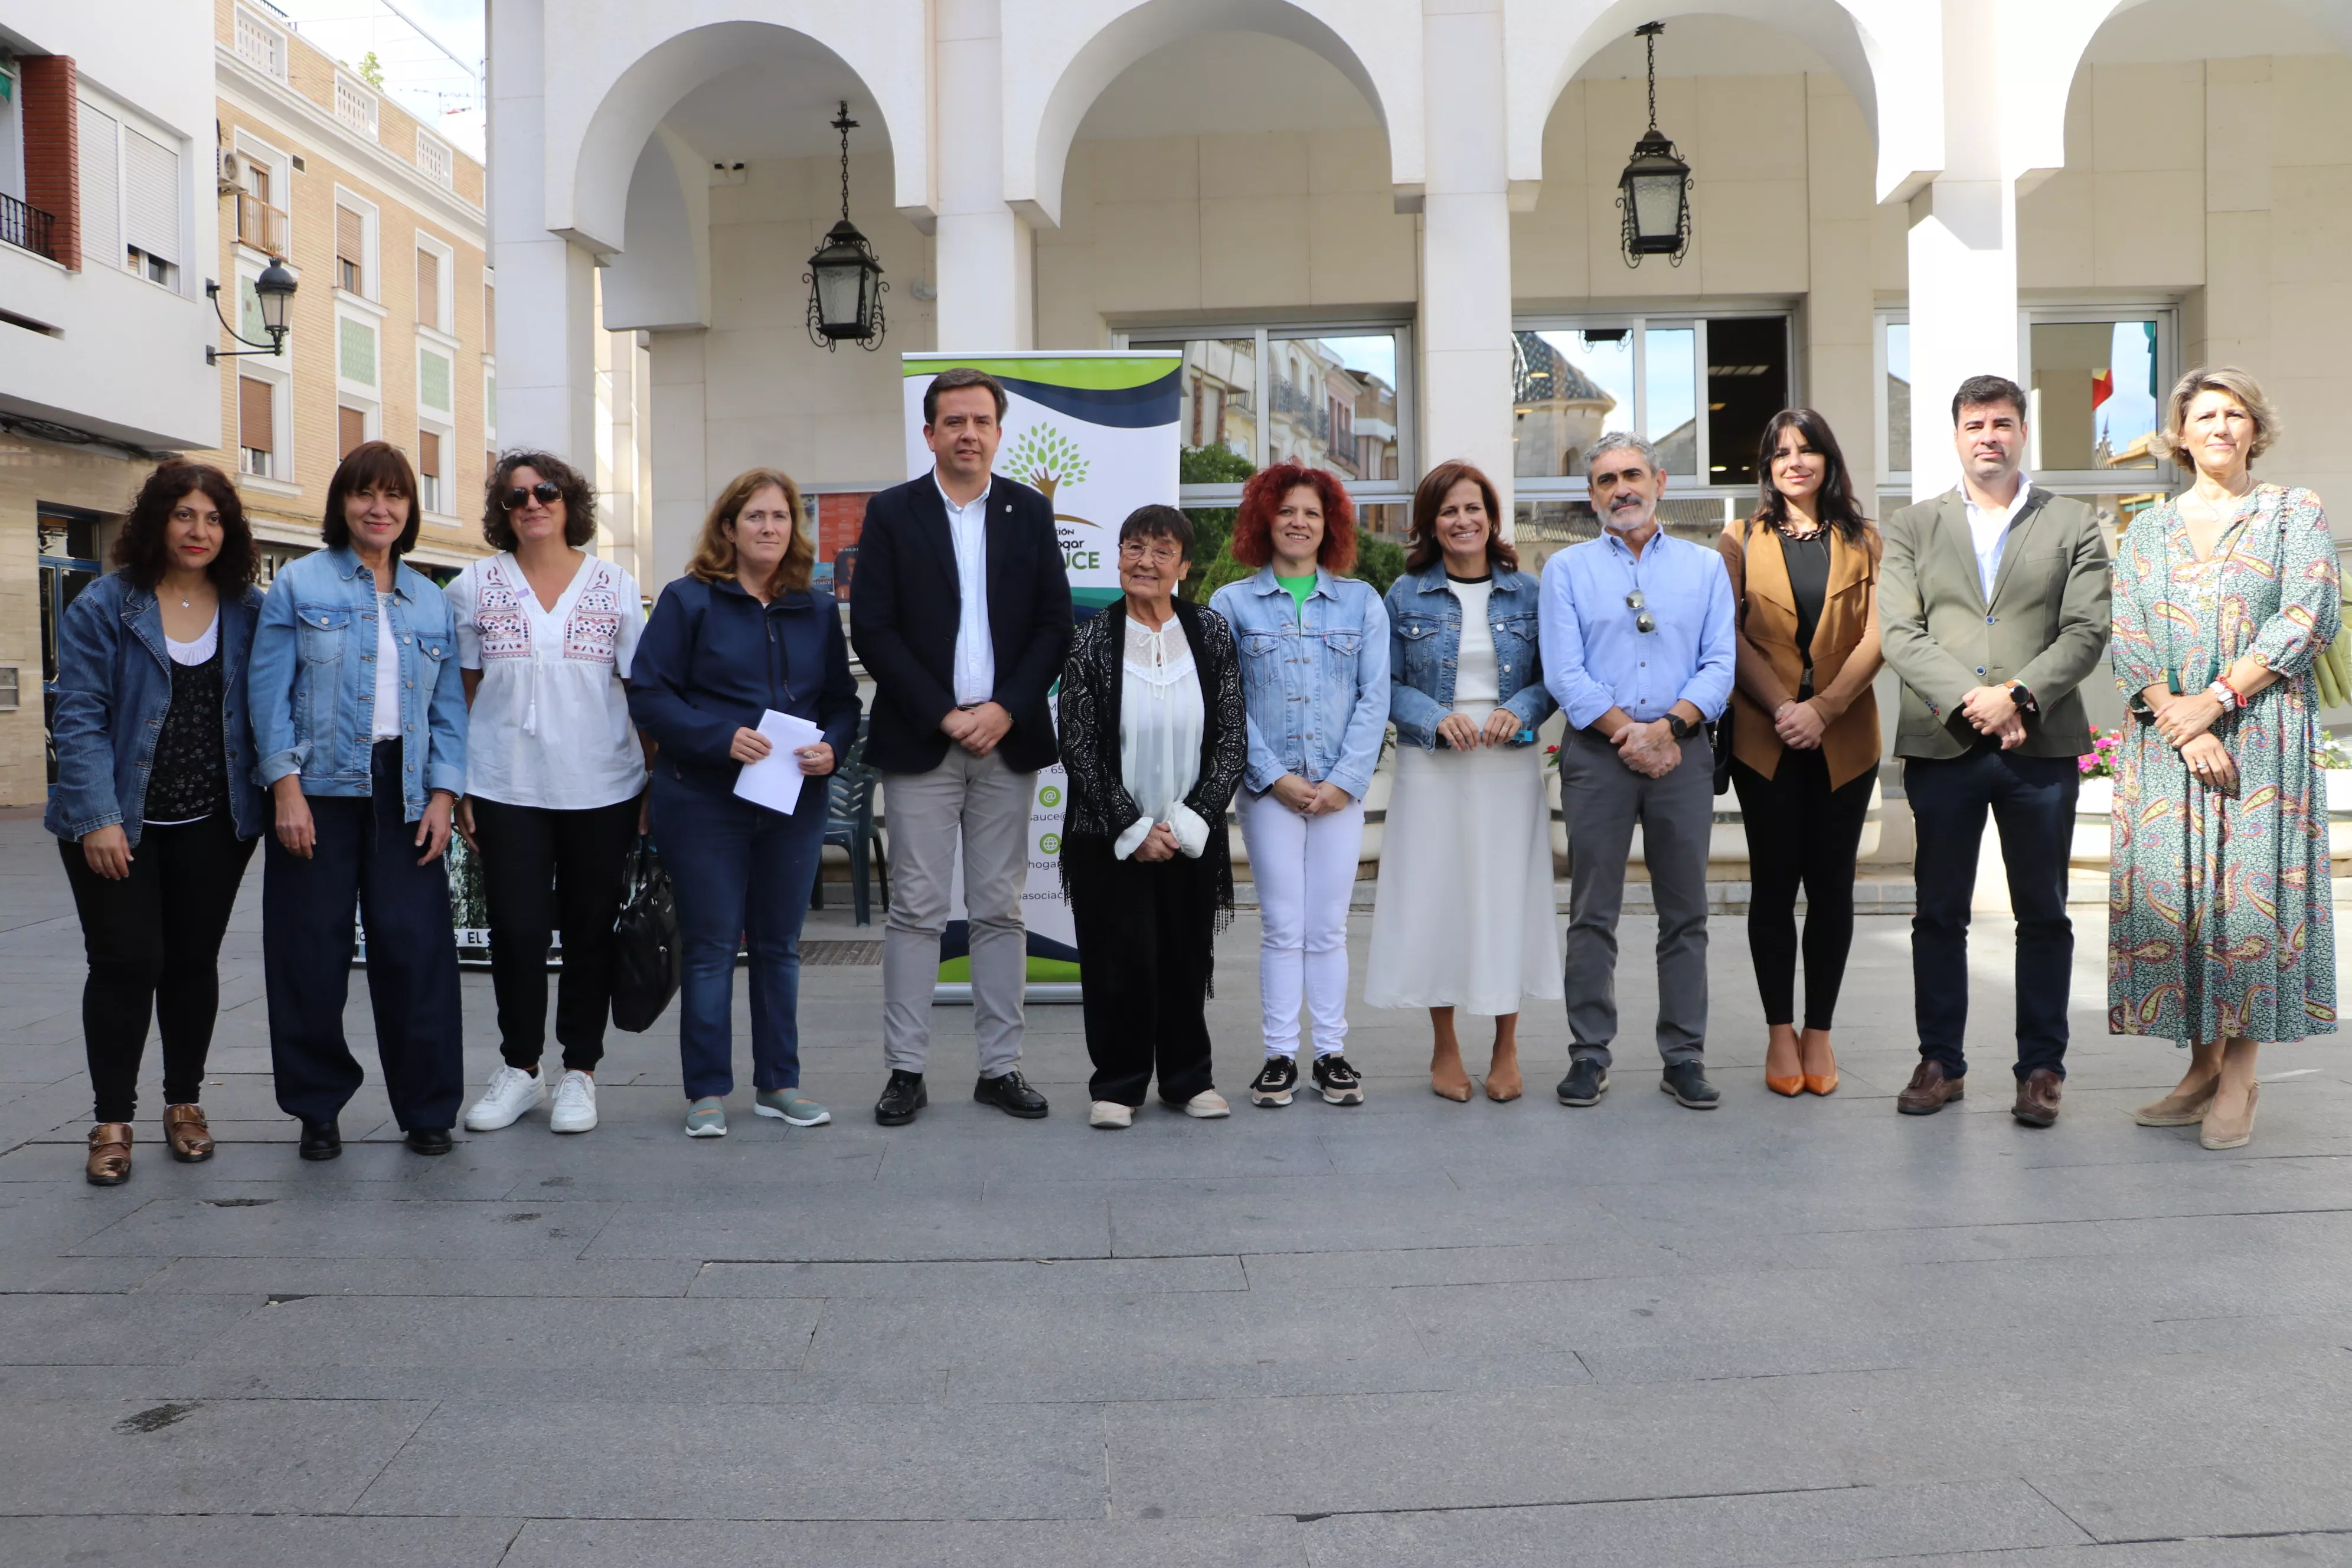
{"x":1603,"y":800}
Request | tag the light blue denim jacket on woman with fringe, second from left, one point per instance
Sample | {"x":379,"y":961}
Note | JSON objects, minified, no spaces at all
{"x":314,"y":681}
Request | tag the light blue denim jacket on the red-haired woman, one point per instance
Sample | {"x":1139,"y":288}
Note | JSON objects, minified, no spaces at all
{"x":1314,"y":681}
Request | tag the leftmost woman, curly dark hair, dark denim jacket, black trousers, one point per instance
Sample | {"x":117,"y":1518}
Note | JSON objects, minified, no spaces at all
{"x":156,"y":810}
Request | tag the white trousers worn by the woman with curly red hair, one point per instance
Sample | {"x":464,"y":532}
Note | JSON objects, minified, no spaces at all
{"x":1304,"y":871}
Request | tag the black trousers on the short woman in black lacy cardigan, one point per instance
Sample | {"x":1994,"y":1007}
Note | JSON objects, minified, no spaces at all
{"x":1144,"y":956}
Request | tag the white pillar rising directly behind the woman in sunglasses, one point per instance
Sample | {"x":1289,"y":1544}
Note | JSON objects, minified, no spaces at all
{"x":547,"y":286}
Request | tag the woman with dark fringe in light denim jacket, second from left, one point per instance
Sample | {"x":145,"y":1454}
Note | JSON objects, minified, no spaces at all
{"x":361,"y":725}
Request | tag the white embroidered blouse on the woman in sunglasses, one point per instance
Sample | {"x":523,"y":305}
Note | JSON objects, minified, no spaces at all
{"x":549,"y":723}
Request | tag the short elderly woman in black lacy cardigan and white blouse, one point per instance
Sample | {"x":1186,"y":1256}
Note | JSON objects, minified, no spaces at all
{"x":1154,"y":739}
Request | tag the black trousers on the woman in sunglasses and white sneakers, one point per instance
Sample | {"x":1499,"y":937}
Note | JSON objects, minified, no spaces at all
{"x":554,"y":871}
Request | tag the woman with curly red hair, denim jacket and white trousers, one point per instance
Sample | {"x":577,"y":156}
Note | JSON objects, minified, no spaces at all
{"x":1316,"y":690}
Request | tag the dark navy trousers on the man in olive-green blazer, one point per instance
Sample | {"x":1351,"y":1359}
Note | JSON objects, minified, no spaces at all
{"x":2033,"y":808}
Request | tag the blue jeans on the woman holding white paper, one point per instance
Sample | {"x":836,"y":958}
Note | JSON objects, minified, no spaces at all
{"x":740,"y":871}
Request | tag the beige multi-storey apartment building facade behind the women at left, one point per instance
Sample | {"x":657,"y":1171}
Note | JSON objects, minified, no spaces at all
{"x":394,"y":323}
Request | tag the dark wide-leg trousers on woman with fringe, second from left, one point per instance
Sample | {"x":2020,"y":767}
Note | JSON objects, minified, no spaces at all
{"x":366,"y":857}
